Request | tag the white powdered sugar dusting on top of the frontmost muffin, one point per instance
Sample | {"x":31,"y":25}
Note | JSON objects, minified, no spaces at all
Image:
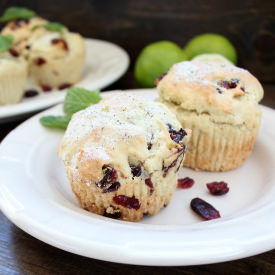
{"x":116,"y":120}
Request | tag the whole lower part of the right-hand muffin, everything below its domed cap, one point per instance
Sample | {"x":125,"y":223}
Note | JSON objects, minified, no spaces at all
{"x":216,"y":146}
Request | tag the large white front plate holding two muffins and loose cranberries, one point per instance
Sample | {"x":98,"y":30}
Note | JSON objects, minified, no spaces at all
{"x":36,"y":196}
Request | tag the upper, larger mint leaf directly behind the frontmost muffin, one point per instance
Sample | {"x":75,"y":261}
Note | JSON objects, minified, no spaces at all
{"x":79,"y":98}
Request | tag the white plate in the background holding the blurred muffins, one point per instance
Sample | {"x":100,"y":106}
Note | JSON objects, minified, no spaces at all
{"x":105,"y":63}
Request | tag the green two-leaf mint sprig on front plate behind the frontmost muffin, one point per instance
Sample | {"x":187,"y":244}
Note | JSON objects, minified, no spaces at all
{"x":76,"y":99}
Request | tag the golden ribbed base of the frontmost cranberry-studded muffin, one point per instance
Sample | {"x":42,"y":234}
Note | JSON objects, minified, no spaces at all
{"x":94,"y":200}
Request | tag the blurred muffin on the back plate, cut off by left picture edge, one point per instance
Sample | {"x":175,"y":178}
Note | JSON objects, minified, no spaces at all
{"x":13,"y":77}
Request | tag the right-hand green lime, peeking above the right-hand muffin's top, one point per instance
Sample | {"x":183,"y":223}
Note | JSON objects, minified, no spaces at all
{"x":211,"y":43}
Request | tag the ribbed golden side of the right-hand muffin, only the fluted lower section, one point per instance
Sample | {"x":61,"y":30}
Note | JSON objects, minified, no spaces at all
{"x":221,"y":149}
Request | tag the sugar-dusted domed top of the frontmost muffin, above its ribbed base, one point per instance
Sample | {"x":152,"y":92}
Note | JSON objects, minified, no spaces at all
{"x":121,"y":131}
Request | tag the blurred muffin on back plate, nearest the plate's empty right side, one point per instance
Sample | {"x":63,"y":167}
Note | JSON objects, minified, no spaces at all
{"x":56,"y":59}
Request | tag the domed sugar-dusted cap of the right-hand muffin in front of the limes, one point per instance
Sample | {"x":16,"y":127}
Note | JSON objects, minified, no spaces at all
{"x":214,"y":88}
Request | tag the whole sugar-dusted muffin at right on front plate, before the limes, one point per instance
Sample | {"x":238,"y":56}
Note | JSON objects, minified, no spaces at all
{"x":219,"y":103}
